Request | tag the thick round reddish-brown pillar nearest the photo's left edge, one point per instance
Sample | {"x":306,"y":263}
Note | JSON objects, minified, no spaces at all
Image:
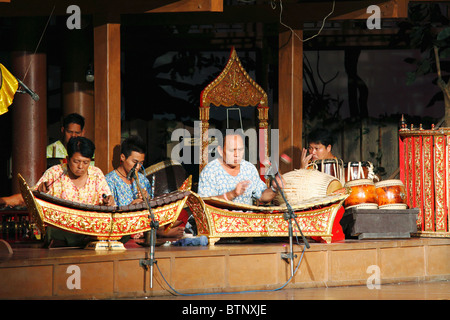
{"x":29,"y":117}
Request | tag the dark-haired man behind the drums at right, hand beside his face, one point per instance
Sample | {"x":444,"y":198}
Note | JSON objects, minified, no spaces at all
{"x":320,"y":143}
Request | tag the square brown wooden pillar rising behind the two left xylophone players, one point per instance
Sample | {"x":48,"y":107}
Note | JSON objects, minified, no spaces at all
{"x":107,"y":90}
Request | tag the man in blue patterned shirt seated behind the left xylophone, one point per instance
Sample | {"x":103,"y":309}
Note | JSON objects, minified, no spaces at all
{"x":125,"y":191}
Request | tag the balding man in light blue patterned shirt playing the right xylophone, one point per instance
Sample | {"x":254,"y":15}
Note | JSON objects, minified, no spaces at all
{"x":232,"y":178}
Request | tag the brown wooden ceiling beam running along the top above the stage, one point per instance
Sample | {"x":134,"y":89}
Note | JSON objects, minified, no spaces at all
{"x":294,"y":11}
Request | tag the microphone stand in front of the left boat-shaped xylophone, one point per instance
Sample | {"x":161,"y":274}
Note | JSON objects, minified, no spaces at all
{"x":154,"y":225}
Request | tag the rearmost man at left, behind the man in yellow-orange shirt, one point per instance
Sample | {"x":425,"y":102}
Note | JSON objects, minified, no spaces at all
{"x":73,"y":126}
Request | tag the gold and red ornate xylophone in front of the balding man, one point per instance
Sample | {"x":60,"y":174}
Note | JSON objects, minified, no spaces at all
{"x":217,"y":218}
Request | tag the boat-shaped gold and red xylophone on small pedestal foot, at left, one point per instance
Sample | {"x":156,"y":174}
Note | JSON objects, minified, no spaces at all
{"x":106,"y":223}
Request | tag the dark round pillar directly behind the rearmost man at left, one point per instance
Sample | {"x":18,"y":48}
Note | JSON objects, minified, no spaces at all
{"x":78,"y":94}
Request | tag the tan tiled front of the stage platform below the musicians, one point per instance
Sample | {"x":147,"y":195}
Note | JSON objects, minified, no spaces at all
{"x":36,"y":273}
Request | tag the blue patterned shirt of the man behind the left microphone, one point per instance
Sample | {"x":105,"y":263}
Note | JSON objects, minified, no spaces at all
{"x":124,"y":193}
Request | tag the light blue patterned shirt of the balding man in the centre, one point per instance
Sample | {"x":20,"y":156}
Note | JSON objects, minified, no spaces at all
{"x":215,"y":181}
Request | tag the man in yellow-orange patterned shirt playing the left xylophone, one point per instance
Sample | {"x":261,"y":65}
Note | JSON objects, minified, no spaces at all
{"x":76,"y":181}
